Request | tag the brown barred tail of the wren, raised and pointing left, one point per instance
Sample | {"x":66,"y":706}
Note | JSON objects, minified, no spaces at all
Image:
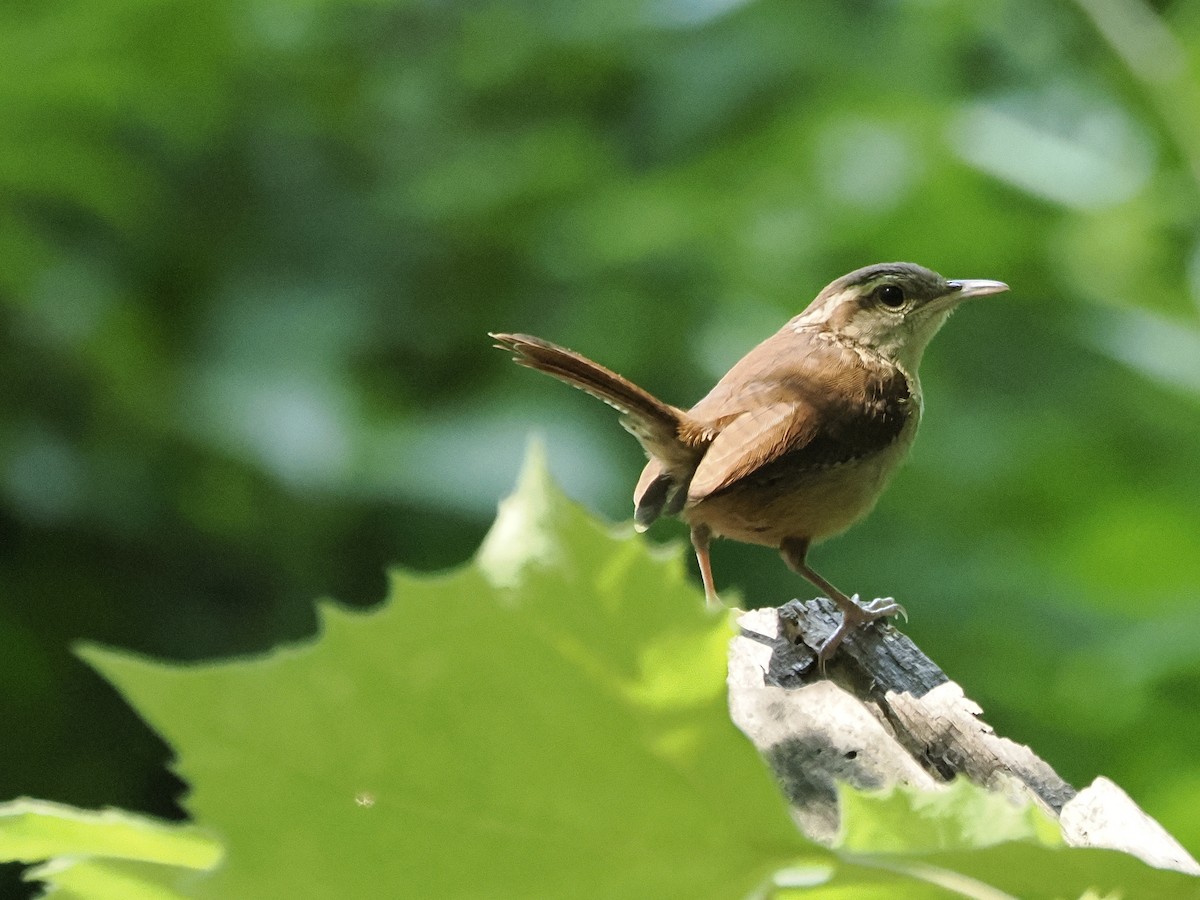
{"x":656,"y":424}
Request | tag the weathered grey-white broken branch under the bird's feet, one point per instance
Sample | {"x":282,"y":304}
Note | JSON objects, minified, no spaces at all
{"x":886,"y":715}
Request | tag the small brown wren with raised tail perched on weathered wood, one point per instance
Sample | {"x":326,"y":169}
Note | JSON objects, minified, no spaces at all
{"x":799,"y":440}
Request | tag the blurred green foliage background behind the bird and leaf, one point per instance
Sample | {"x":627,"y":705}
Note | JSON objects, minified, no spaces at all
{"x":249,"y":254}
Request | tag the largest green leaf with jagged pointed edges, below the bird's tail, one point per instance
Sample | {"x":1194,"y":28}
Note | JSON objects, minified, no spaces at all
{"x":548,"y":722}
